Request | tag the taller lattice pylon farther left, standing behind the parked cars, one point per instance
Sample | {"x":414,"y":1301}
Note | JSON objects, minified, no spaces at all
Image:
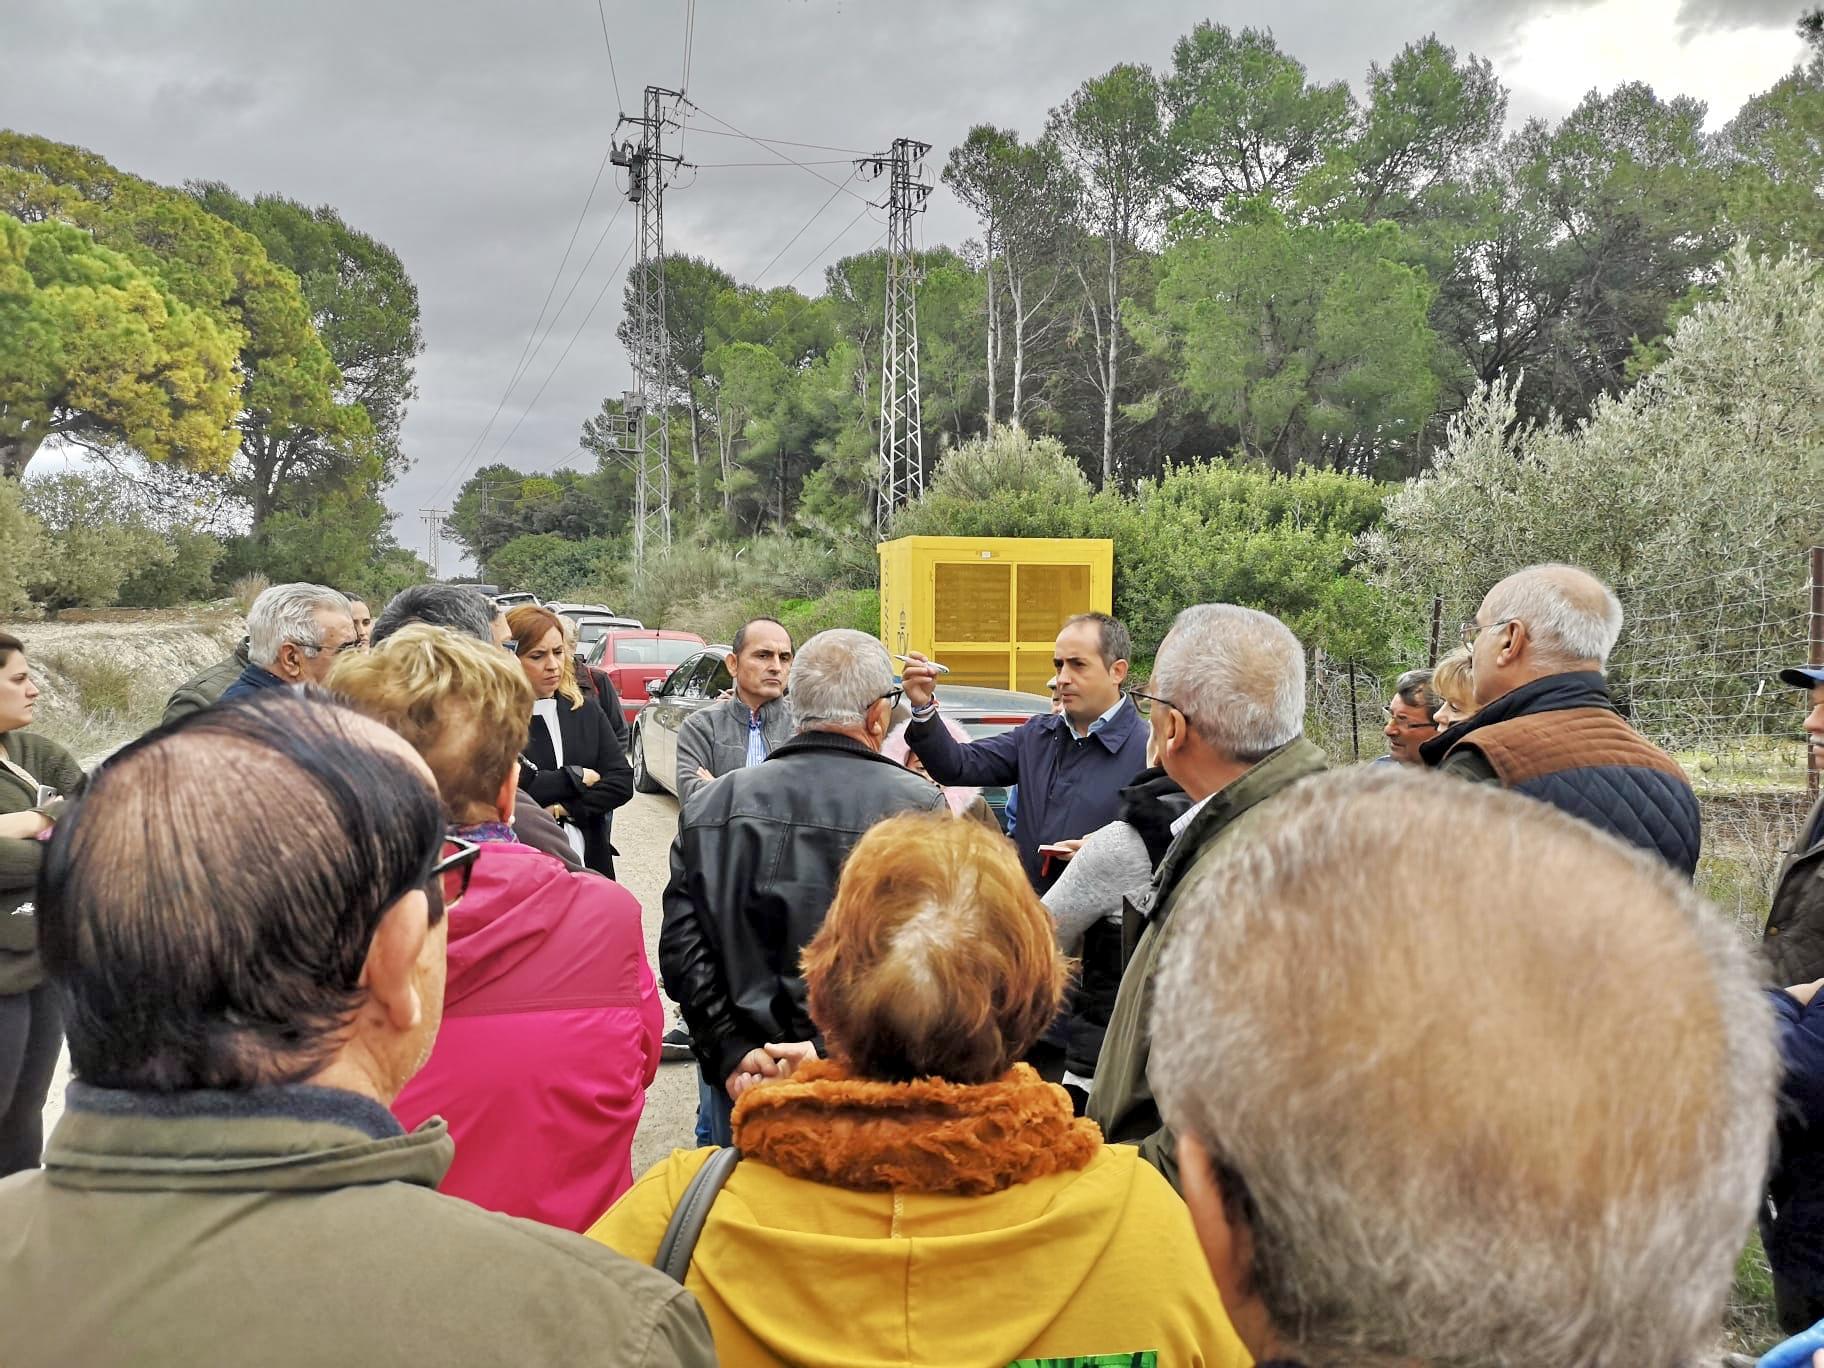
{"x":647,"y":165}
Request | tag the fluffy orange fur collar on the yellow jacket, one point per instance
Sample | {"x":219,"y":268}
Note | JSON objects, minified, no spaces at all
{"x":920,"y":1137}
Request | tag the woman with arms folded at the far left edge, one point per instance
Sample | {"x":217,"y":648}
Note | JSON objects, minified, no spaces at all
{"x":36,"y":778}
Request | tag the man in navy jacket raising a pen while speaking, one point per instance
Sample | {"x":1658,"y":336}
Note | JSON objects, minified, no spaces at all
{"x":1072,"y":767}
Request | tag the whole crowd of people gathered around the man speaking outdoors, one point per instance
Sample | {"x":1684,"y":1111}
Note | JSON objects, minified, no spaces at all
{"x":1221,"y":1055}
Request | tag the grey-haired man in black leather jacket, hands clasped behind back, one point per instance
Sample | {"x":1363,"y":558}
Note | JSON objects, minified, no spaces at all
{"x":756,"y":862}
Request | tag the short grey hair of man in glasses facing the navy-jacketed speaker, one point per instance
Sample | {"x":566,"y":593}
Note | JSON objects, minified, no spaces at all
{"x":1238,"y":674}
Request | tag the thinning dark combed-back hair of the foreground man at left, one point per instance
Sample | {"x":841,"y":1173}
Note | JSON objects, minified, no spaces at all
{"x":211,"y":902}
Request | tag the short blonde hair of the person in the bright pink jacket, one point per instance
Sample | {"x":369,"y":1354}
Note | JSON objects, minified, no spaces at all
{"x":461,"y":703}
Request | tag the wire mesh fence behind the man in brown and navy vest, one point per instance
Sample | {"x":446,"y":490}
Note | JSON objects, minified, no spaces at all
{"x":1699,"y":672}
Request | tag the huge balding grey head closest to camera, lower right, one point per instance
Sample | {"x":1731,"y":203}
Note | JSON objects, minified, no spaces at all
{"x":1402,"y":1143}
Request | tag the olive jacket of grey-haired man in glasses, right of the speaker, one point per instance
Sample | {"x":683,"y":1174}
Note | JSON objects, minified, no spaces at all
{"x":1123,"y":1097}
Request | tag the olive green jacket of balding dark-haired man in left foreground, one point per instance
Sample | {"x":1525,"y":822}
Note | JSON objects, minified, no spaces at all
{"x":293,"y":1228}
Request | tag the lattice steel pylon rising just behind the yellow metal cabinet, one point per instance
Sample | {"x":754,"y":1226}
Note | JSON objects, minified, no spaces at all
{"x":902,"y":470}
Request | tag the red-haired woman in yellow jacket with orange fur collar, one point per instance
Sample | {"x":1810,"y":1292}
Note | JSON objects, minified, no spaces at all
{"x":920,"y":1196}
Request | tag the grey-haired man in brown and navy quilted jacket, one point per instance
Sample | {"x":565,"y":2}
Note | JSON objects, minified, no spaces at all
{"x":1546,"y":725}
